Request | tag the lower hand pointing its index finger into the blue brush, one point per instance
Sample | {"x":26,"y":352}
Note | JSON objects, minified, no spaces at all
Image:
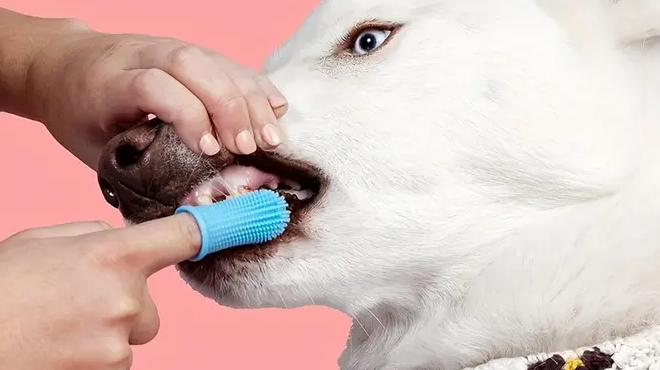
{"x":75,"y":296}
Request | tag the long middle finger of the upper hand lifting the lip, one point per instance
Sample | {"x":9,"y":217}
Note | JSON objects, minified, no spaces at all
{"x":201,"y":73}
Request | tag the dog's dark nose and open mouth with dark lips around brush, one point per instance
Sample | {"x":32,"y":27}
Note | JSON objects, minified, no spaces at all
{"x":158,"y":174}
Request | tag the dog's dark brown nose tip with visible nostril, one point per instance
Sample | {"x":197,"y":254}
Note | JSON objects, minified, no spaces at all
{"x":126,"y":161}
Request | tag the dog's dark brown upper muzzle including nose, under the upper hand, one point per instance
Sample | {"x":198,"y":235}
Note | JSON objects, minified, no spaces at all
{"x":146,"y":170}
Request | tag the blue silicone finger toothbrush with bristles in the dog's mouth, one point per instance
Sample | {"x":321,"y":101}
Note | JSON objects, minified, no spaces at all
{"x":250,"y":218}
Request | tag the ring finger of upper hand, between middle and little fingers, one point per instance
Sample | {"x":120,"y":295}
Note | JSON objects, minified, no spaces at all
{"x":262,"y":118}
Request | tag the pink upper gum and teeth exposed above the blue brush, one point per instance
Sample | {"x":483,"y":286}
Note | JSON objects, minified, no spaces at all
{"x":231,"y":180}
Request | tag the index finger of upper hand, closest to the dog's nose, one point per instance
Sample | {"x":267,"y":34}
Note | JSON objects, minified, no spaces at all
{"x":156,"y":92}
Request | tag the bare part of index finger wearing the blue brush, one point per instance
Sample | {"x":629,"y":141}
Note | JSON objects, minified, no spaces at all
{"x":154,"y":245}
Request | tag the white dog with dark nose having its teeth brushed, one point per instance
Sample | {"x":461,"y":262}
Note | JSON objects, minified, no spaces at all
{"x":470,"y":179}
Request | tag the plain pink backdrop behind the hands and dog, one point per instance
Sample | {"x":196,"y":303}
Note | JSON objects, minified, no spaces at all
{"x":49,"y":186}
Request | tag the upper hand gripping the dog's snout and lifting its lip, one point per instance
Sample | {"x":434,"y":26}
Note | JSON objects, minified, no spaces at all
{"x":91,"y":85}
